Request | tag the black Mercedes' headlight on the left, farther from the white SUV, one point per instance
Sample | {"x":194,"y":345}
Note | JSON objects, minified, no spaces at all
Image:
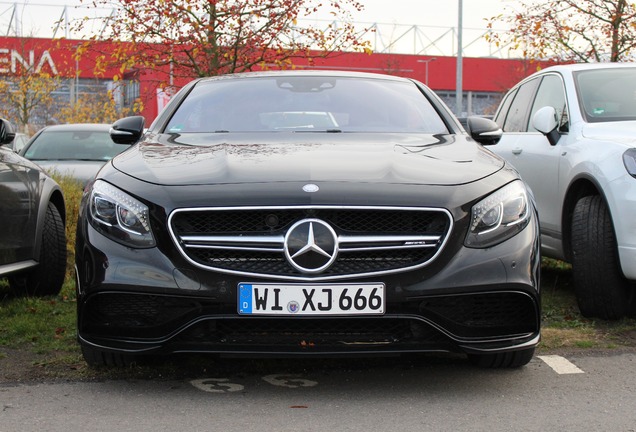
{"x":119,"y":216}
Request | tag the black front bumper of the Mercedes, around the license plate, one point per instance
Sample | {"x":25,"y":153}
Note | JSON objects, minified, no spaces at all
{"x":153,"y":302}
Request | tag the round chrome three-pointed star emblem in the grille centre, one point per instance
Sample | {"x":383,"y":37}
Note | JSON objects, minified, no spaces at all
{"x":311,"y":245}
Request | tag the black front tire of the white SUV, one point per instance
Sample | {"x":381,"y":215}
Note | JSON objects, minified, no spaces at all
{"x":601,"y":289}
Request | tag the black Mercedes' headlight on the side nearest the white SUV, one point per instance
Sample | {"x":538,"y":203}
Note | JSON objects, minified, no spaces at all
{"x":499,"y":216}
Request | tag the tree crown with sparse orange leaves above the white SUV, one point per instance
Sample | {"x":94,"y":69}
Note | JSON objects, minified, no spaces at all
{"x":569,"y":30}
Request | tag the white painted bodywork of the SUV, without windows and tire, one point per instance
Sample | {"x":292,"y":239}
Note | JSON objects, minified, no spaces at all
{"x":591,"y":151}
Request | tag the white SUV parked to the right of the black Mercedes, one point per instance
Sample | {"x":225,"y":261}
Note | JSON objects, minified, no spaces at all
{"x":571,"y":132}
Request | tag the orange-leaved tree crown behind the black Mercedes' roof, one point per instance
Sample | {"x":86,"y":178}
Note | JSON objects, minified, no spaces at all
{"x":194,"y":38}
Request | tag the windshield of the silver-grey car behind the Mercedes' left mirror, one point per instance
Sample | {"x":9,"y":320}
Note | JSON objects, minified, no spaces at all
{"x":73,"y":145}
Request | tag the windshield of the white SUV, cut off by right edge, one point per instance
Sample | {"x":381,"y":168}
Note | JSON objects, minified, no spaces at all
{"x":607,"y":94}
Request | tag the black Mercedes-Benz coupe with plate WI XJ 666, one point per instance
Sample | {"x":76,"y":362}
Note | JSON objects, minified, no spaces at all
{"x":307,"y":213}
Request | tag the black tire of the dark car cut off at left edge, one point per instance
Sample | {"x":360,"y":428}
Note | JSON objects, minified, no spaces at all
{"x":48,"y":277}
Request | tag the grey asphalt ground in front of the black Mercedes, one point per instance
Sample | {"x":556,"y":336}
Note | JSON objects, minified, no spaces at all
{"x":437,"y":392}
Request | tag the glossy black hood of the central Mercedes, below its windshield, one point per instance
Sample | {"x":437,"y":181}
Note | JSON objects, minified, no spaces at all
{"x":204,"y":159}
